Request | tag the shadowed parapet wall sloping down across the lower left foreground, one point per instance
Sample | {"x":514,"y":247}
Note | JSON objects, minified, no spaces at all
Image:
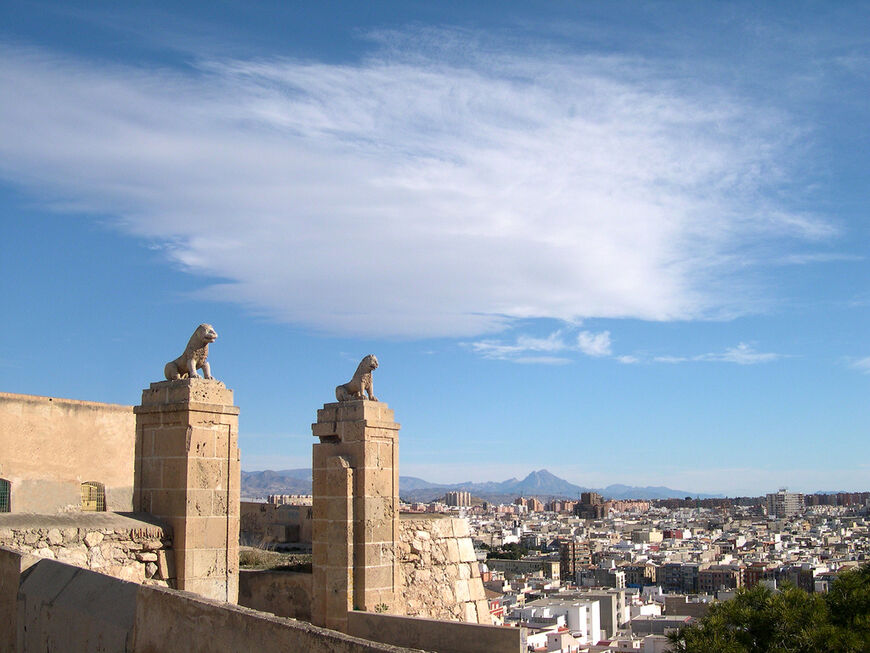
{"x":64,"y":608}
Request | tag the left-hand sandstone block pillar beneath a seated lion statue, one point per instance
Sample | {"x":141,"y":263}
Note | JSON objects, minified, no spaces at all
{"x":188,"y":474}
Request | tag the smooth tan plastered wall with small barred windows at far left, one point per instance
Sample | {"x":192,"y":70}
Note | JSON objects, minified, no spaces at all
{"x":51,"y":446}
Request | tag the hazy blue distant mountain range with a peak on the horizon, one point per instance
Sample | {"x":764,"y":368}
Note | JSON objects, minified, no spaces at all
{"x":540,"y":484}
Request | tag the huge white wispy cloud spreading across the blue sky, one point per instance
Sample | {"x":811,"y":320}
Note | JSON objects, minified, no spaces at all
{"x":428,"y":190}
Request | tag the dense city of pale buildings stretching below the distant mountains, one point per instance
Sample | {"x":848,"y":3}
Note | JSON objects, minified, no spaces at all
{"x":596,"y":575}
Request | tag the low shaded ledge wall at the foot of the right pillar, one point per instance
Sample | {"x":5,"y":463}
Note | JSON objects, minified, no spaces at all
{"x":434,"y":635}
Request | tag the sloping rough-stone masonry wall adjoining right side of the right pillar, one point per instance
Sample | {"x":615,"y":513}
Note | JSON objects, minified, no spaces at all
{"x":439,"y":572}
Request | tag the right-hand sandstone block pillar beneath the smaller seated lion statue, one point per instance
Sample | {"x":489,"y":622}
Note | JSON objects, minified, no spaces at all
{"x":356,"y":510}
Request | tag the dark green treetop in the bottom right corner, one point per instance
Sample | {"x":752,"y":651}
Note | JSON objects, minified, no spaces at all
{"x":759,"y":620}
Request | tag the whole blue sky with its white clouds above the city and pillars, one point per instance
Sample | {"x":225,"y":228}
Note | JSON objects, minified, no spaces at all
{"x":626,"y":242}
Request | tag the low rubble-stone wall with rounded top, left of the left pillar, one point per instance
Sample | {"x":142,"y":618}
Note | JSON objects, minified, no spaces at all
{"x":109,"y":544}
